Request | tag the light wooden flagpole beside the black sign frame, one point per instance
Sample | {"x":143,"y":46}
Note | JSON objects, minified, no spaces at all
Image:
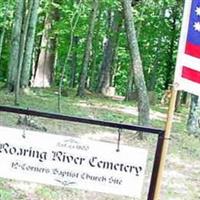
{"x":166,"y":138}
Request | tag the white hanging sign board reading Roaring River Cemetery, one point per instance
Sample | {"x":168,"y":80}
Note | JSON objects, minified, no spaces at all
{"x":71,"y":162}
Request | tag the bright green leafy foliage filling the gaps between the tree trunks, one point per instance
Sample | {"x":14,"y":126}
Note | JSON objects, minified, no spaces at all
{"x":154,"y":23}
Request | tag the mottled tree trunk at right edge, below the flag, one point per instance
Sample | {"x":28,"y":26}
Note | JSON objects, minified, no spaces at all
{"x":193,"y":123}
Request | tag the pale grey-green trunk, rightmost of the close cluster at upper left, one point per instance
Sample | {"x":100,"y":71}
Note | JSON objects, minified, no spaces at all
{"x":27,"y":62}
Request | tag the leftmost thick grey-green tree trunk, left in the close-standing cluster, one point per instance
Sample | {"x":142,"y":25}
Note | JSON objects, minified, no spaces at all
{"x":15,"y":44}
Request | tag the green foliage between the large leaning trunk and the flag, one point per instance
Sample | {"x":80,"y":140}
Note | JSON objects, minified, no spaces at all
{"x":158,"y":40}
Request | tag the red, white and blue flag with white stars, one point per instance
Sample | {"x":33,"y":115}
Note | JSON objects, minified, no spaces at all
{"x":187,"y":75}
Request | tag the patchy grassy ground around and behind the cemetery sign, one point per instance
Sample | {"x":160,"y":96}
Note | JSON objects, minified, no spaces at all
{"x":182,"y":173}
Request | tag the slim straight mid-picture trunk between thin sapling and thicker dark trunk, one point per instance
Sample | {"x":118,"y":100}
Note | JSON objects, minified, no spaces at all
{"x":86,"y":58}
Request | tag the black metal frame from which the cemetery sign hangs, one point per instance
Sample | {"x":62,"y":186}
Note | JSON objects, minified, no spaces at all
{"x":146,"y":130}
